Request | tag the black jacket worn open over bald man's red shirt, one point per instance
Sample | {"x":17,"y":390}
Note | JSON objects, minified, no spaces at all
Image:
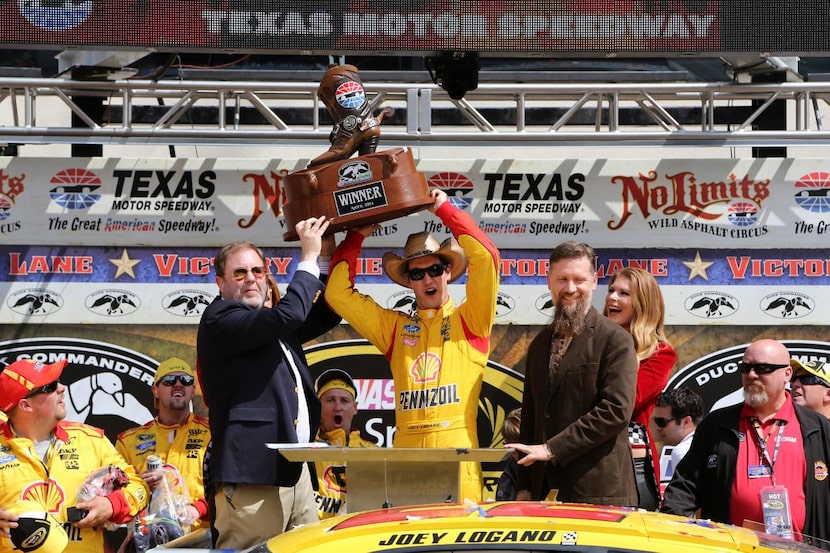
{"x":695,"y":486}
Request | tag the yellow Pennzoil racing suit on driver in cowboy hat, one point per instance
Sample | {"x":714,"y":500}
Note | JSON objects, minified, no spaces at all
{"x":437,"y":356}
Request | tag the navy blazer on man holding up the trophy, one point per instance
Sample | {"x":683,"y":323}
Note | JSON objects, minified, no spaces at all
{"x":249,"y":385}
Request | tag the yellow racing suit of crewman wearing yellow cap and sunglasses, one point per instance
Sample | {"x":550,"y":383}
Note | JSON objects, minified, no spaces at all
{"x":182,"y":446}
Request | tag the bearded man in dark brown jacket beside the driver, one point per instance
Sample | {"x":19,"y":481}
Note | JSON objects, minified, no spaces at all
{"x":580,"y":383}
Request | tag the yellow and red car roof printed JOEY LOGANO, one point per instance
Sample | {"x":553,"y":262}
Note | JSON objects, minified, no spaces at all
{"x":522,"y":526}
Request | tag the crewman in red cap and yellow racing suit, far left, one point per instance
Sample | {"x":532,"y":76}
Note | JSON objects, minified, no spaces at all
{"x":46,"y":460}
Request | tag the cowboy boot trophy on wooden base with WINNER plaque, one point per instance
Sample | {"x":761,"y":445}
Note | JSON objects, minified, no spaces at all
{"x":353,"y":191}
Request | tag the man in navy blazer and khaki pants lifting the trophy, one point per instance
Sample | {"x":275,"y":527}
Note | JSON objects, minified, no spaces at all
{"x":259,"y":390}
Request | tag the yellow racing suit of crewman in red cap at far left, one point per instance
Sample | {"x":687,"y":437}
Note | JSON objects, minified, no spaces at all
{"x":77,"y":451}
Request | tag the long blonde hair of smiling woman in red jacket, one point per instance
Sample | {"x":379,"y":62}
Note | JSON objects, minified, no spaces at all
{"x":649,"y":310}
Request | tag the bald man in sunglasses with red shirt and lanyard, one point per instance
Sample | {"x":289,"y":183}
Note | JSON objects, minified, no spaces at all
{"x":761,"y":463}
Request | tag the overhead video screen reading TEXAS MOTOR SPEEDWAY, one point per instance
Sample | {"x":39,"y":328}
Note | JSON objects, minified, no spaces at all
{"x":509,"y":27}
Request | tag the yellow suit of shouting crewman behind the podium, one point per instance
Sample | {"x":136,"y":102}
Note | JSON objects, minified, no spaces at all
{"x":331,"y":475}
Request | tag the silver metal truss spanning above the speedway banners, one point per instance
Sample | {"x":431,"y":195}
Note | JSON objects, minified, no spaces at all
{"x":36,"y":111}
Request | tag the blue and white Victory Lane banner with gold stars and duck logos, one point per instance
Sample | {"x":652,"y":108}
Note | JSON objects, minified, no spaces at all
{"x":173,"y":285}
